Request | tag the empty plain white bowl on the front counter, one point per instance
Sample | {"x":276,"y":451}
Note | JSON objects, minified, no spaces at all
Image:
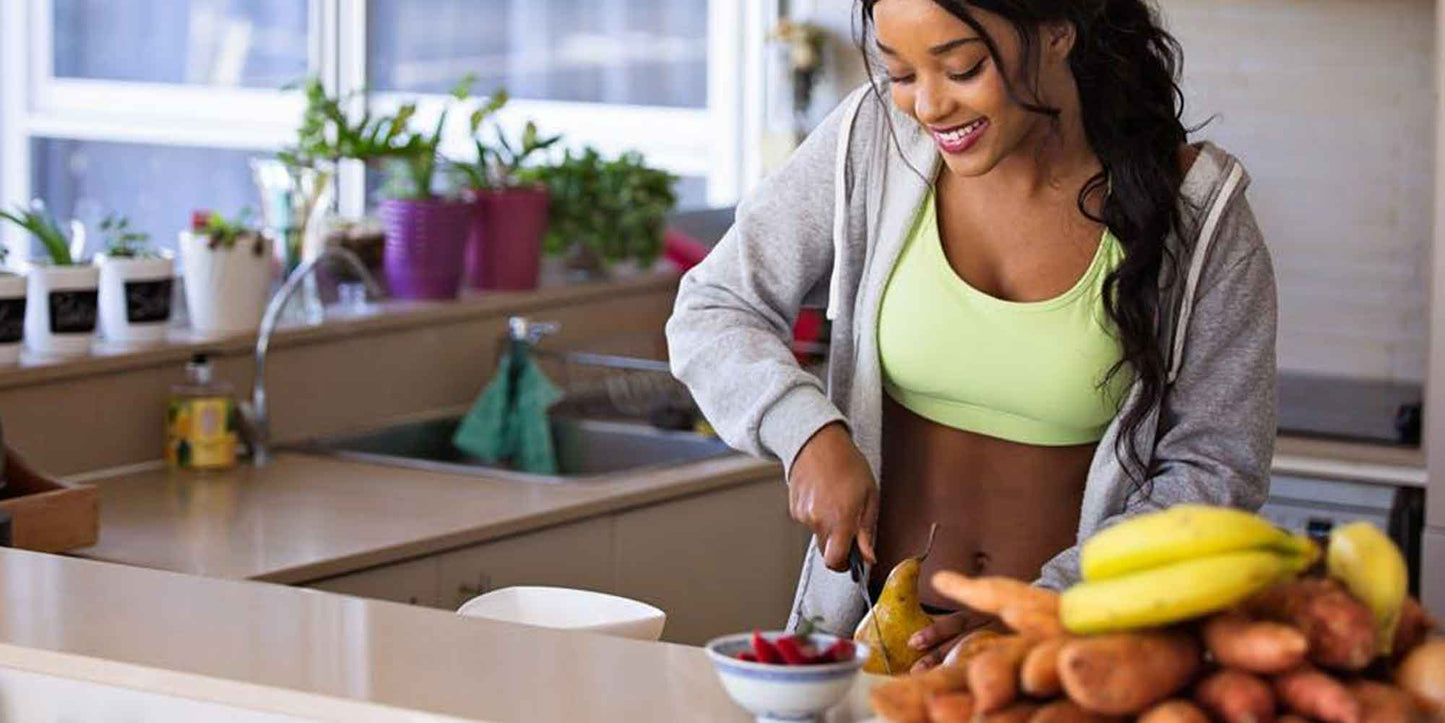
{"x":567,"y":609}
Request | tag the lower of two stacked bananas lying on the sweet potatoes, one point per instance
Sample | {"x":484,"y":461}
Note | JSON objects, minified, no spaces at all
{"x":1176,"y":592}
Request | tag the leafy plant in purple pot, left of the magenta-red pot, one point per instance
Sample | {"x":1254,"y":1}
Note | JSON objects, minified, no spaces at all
{"x":426,"y":234}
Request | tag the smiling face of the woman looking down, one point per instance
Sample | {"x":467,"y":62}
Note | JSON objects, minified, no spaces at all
{"x":941,"y":73}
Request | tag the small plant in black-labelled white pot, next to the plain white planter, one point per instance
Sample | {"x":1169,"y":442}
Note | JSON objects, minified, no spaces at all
{"x":137,"y":284}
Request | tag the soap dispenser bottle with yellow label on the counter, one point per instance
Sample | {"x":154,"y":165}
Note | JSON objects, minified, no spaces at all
{"x":202,"y":420}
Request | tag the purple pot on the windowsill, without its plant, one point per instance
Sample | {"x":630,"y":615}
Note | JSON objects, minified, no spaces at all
{"x":426,"y":248}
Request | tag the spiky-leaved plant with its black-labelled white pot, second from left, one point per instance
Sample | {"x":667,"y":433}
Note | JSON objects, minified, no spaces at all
{"x":60,"y":322}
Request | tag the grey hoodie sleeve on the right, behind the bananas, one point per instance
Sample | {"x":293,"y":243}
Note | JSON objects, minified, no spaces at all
{"x":1216,"y":436}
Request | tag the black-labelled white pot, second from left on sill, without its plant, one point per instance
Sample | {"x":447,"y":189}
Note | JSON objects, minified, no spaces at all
{"x":60,"y":315}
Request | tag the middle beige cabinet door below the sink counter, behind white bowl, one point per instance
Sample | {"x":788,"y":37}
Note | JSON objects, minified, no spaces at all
{"x":577,"y":555}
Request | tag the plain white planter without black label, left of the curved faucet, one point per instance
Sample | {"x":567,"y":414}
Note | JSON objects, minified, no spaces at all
{"x":225,"y":288}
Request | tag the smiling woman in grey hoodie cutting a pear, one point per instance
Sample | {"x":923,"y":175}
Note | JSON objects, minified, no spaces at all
{"x":1050,"y":312}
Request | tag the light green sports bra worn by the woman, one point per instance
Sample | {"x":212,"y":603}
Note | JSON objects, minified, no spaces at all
{"x":1025,"y":372}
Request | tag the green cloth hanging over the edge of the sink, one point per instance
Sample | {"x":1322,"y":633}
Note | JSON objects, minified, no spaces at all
{"x":509,"y":422}
